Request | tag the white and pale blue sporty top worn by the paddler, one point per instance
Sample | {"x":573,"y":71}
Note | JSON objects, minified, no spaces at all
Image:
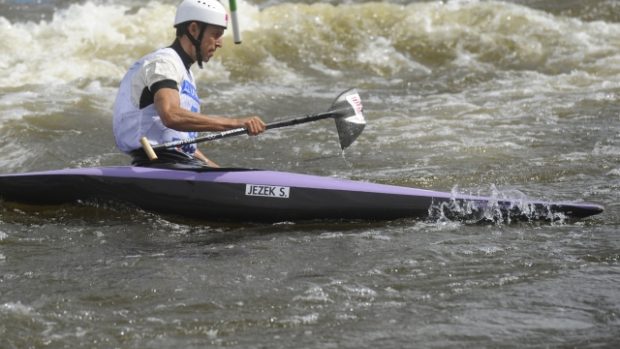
{"x":131,"y":123}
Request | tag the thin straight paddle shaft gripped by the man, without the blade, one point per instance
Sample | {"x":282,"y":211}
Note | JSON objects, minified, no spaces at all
{"x":243,"y":131}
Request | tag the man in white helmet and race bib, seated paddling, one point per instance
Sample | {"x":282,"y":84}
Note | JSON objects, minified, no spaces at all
{"x":157,"y":97}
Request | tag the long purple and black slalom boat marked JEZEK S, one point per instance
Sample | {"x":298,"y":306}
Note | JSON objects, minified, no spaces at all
{"x":269,"y":196}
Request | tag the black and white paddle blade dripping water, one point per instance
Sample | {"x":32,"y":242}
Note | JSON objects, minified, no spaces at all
{"x":349,"y":117}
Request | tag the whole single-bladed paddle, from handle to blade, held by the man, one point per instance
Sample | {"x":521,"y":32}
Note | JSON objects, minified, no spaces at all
{"x":346,"y":110}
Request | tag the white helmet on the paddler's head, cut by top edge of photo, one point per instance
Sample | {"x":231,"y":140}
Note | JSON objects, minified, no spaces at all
{"x":205,"y":11}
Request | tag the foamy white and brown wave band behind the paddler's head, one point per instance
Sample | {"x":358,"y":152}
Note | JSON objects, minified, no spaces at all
{"x":294,"y":42}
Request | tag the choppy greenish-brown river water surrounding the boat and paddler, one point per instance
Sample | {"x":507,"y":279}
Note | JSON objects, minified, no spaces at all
{"x":517,"y":98}
